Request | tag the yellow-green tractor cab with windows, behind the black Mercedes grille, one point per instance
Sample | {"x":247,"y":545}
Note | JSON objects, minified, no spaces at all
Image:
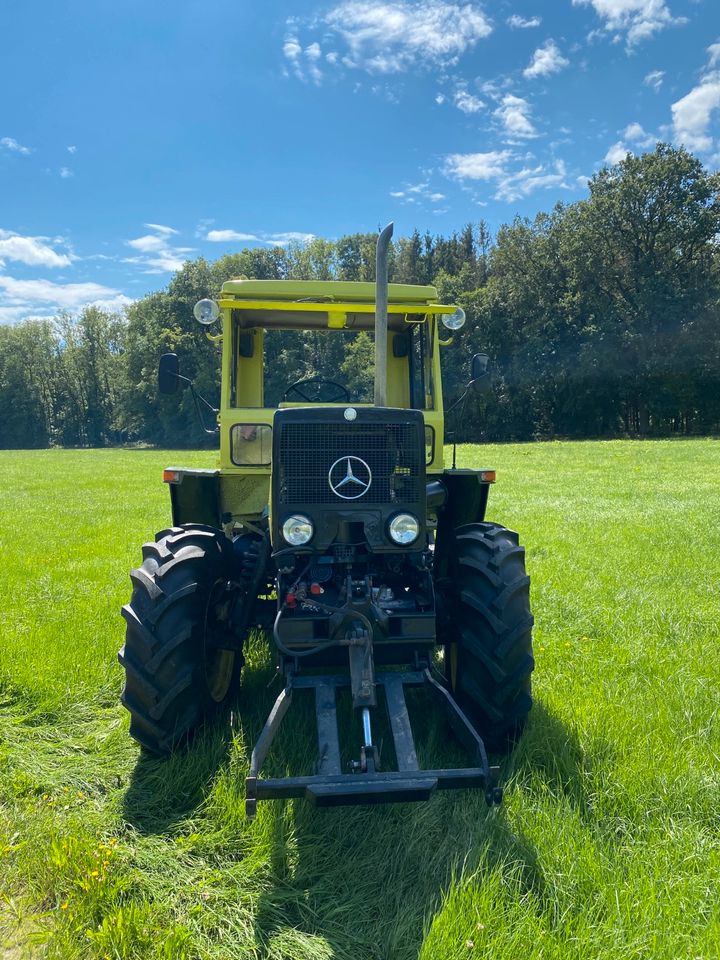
{"x":264,"y":320}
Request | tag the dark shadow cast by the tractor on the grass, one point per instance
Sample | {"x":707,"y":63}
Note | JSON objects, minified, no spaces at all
{"x":359,"y":882}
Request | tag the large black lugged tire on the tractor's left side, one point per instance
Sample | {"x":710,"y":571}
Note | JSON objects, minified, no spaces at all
{"x":181,"y":659}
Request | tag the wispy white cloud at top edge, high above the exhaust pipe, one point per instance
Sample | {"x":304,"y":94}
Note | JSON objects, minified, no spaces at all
{"x":392,"y":36}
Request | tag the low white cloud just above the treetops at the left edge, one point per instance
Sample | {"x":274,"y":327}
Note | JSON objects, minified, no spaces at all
{"x":33,"y":297}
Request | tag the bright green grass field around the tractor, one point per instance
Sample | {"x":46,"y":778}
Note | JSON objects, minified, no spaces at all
{"x":607,"y":845}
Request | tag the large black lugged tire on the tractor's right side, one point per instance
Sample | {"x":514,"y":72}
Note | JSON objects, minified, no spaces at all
{"x":488,"y":649}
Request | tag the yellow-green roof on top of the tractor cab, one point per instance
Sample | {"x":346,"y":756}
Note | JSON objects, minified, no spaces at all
{"x":334,"y":304}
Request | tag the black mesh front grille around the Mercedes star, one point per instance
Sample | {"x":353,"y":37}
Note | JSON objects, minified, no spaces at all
{"x":307,"y":451}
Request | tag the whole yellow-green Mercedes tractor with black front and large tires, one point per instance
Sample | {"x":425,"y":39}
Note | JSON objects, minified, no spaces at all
{"x":333,"y":523}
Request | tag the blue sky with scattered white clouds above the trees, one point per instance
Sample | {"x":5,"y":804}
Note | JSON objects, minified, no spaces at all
{"x":135,"y":135}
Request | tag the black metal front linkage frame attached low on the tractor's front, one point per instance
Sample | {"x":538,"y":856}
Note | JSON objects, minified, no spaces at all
{"x":366,"y":784}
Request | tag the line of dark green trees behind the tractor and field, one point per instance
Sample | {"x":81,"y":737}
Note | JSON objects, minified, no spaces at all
{"x":601,"y":318}
